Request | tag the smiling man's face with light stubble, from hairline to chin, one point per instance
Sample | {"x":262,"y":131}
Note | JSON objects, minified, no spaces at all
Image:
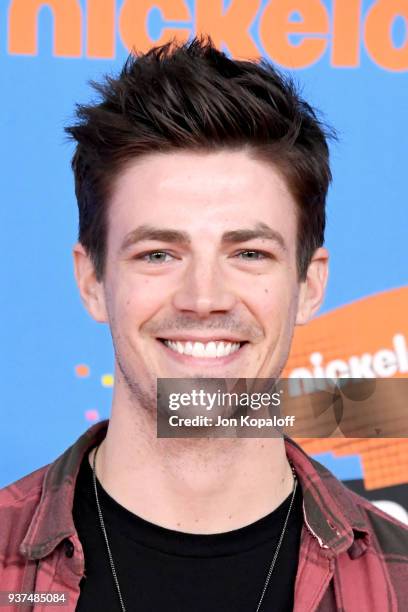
{"x":201,"y":276}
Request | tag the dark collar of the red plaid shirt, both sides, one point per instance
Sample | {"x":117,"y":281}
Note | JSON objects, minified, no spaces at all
{"x":330,"y":513}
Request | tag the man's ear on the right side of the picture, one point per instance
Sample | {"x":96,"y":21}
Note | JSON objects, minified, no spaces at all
{"x":312,"y":289}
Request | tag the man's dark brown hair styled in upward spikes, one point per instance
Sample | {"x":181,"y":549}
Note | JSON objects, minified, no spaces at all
{"x":191,"y":96}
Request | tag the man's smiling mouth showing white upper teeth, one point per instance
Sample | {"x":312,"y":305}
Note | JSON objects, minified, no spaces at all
{"x":211,"y":350}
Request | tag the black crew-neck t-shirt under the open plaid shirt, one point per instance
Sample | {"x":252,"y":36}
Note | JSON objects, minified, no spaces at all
{"x":159,"y":569}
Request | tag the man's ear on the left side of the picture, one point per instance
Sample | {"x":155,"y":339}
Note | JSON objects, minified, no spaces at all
{"x":91,"y":290}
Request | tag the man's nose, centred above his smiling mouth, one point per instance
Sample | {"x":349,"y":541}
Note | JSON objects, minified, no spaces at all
{"x":203,"y":290}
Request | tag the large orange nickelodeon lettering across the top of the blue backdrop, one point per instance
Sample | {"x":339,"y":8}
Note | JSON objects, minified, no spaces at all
{"x":293,"y":33}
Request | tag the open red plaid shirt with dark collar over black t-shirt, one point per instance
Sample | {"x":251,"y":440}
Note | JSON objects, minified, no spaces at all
{"x":353,"y":557}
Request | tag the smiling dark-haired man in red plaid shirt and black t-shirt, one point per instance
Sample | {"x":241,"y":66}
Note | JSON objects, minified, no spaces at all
{"x":201,"y":184}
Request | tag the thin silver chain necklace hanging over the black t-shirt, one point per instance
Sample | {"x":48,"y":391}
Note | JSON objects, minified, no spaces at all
{"x":112,"y":564}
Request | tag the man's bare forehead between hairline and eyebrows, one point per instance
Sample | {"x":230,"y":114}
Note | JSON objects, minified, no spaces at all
{"x":201,"y":192}
